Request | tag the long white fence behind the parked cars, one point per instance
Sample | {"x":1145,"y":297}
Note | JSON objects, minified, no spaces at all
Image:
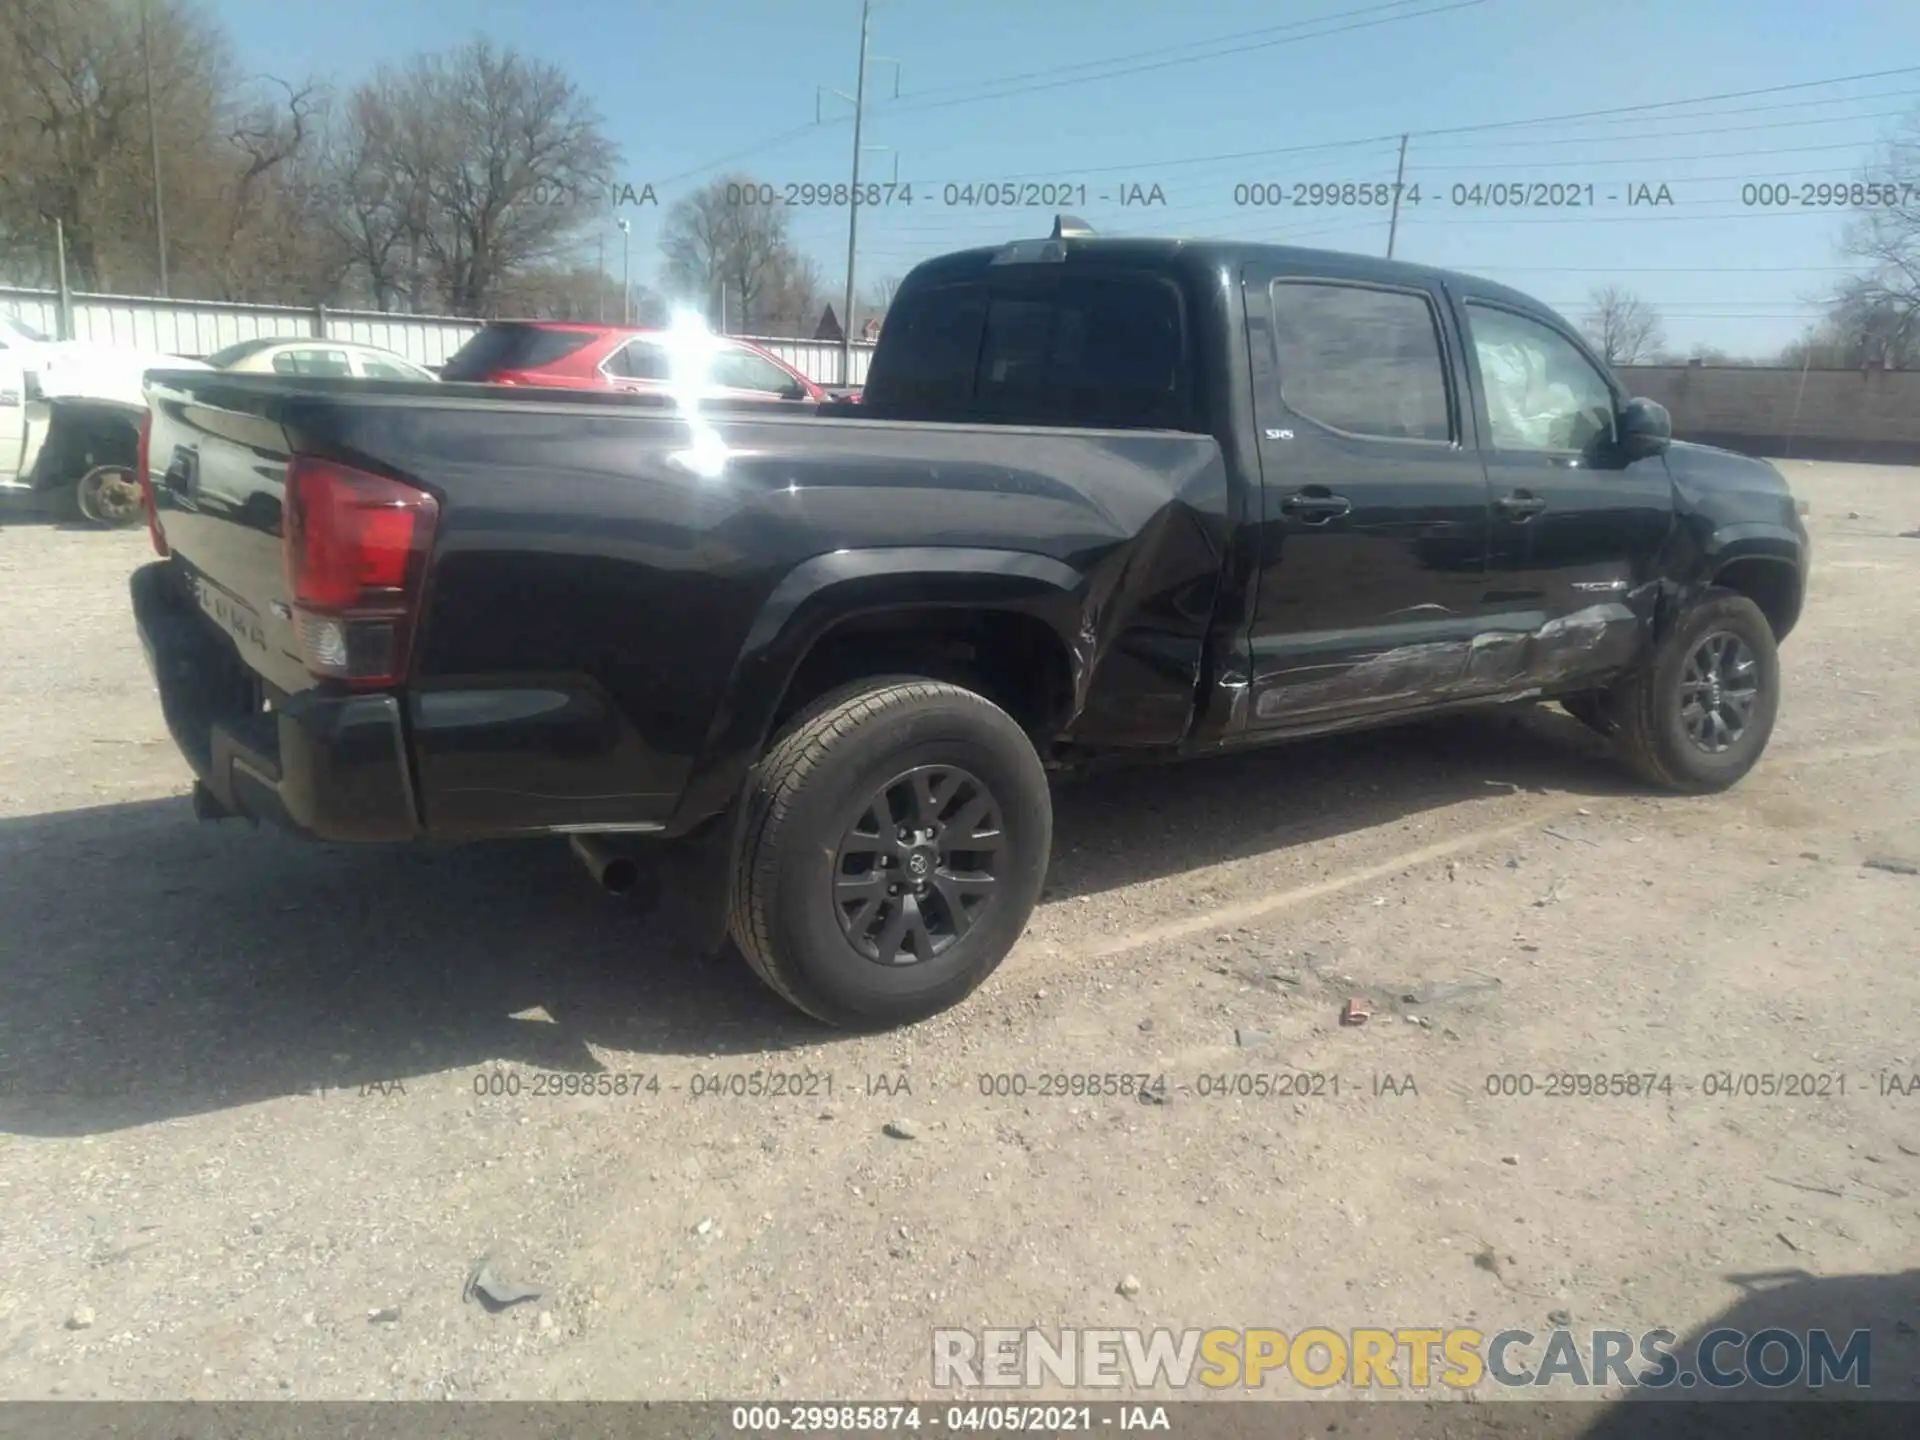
{"x":201,"y":327}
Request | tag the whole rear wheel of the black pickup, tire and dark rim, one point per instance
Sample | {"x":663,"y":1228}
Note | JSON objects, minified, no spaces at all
{"x":896,"y":844}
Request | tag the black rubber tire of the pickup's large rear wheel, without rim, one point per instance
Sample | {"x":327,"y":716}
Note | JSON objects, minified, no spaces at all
{"x":807,"y":798}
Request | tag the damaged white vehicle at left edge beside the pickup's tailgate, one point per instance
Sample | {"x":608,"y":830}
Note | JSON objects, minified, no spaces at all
{"x":70,"y":420}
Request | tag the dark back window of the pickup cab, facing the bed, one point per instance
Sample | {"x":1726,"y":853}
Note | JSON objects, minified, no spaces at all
{"x":1090,"y":350}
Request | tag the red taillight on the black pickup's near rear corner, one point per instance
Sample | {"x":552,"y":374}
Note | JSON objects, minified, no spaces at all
{"x":356,"y":562}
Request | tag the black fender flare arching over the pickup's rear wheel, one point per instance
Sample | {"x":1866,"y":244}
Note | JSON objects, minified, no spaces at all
{"x":844,"y":585}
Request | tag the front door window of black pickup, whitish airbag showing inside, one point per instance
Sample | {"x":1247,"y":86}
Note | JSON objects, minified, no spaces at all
{"x":1541,"y":391}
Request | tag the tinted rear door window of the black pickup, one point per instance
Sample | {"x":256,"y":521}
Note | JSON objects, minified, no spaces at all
{"x":1364,"y":362}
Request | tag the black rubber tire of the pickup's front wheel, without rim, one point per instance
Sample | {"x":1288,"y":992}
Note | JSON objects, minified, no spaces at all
{"x":1646,"y":708}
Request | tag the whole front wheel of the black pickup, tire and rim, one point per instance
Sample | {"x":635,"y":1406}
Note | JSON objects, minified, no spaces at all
{"x":1700,"y":713}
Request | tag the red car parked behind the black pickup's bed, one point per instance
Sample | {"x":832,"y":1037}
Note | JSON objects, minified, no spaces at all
{"x":577,"y":356}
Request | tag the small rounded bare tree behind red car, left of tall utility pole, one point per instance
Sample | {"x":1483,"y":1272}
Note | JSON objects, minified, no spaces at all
{"x":723,"y":237}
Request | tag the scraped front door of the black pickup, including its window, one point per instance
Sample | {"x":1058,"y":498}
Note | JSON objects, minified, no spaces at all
{"x":1577,"y":527}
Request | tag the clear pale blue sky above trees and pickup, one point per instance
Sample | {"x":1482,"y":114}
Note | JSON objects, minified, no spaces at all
{"x":1207,"y":97}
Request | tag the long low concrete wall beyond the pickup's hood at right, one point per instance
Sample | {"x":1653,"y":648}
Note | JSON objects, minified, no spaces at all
{"x":1821,"y":416}
